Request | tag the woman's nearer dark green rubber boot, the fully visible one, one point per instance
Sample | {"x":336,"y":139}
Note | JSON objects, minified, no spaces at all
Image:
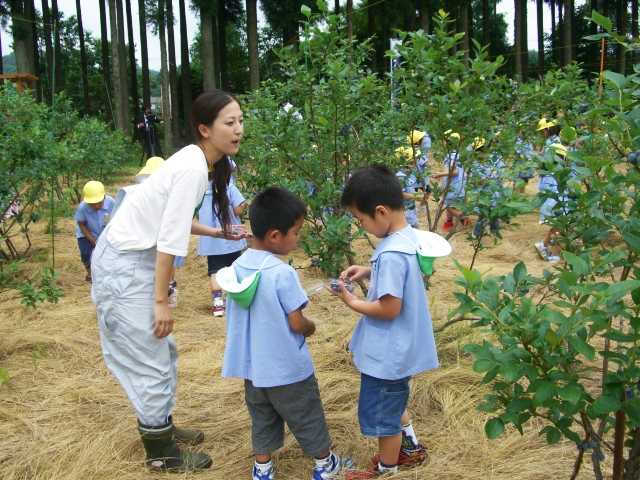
{"x":164,"y":455}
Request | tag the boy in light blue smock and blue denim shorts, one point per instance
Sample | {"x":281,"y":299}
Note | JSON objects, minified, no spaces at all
{"x":394,"y":339}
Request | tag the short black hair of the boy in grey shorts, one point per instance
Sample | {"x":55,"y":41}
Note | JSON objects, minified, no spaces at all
{"x":275,"y":208}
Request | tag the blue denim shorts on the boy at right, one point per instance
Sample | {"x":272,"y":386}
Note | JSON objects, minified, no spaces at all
{"x":381,"y":405}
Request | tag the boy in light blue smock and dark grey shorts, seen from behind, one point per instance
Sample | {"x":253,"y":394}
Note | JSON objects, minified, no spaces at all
{"x":266,"y":342}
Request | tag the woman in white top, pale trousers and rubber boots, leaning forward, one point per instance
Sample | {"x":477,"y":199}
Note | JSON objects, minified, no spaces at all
{"x":131,"y":267}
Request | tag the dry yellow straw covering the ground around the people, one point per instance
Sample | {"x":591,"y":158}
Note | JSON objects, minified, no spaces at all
{"x":63,"y":416}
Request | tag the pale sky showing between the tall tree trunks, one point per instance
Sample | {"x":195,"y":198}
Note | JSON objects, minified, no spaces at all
{"x":91,"y":23}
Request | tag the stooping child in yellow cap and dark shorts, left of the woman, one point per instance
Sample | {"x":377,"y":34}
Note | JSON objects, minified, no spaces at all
{"x":91,"y":217}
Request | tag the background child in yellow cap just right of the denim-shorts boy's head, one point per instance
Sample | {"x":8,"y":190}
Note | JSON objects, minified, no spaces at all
{"x":453,"y":181}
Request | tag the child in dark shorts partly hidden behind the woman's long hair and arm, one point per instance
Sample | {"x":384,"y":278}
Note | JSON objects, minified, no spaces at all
{"x":220,"y":252}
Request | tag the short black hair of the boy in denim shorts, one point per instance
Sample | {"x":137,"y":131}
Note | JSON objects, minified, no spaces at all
{"x":371,"y":186}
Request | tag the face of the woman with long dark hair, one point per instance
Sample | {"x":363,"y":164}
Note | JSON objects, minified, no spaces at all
{"x":225,"y":133}
